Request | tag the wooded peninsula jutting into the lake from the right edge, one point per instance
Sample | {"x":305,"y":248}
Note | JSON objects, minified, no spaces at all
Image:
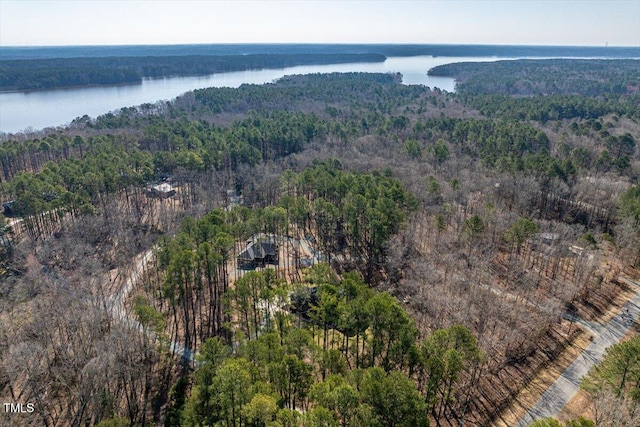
{"x":548,"y":90}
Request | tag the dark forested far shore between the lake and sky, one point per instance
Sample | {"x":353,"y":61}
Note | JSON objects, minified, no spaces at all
{"x":37,"y":68}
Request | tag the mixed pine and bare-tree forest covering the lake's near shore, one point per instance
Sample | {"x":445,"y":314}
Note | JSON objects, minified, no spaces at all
{"x":326,"y":250}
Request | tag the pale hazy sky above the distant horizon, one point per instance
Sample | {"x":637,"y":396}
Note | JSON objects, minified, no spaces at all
{"x":550,"y":22}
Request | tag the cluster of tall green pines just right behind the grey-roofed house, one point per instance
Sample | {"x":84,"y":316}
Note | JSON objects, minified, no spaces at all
{"x":354,"y":213}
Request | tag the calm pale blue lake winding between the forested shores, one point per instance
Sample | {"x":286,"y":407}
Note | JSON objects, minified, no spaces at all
{"x":20,"y":111}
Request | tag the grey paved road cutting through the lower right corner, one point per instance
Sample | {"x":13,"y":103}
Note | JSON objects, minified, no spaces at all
{"x":567,"y":385}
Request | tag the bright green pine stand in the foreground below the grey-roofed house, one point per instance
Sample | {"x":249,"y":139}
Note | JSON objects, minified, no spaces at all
{"x":379,"y":342}
